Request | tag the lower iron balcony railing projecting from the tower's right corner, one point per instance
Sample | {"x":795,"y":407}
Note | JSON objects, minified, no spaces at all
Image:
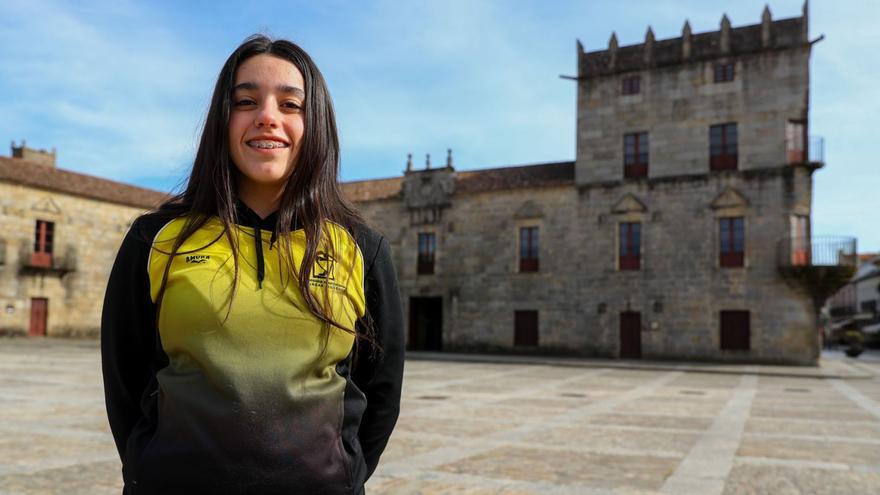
{"x":817,"y":251}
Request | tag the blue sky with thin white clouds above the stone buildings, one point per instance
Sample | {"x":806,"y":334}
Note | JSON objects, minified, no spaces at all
{"x":120,"y":88}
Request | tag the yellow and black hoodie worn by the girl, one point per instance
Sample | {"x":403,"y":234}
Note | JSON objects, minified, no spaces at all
{"x":247,"y":399}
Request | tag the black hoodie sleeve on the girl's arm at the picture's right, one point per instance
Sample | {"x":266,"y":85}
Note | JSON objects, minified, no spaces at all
{"x":381,"y":376}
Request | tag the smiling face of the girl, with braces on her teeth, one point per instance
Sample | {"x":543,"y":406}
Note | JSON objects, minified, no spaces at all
{"x":266,"y":123}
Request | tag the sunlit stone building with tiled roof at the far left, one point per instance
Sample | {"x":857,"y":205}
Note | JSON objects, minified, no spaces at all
{"x":59,"y":233}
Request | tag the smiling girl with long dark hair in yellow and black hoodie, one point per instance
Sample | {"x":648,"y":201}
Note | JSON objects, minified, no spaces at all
{"x":252,"y":336}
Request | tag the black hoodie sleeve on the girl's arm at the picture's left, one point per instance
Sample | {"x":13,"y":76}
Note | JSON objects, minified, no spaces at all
{"x":127,"y":335}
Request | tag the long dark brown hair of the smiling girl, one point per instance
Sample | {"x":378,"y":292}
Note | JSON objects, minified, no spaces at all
{"x":311,"y":197}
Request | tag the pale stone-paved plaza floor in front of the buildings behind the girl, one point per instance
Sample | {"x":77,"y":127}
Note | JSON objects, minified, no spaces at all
{"x":511,"y":428}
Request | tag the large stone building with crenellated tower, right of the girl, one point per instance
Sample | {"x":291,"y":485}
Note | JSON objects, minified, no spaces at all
{"x":681,"y":230}
